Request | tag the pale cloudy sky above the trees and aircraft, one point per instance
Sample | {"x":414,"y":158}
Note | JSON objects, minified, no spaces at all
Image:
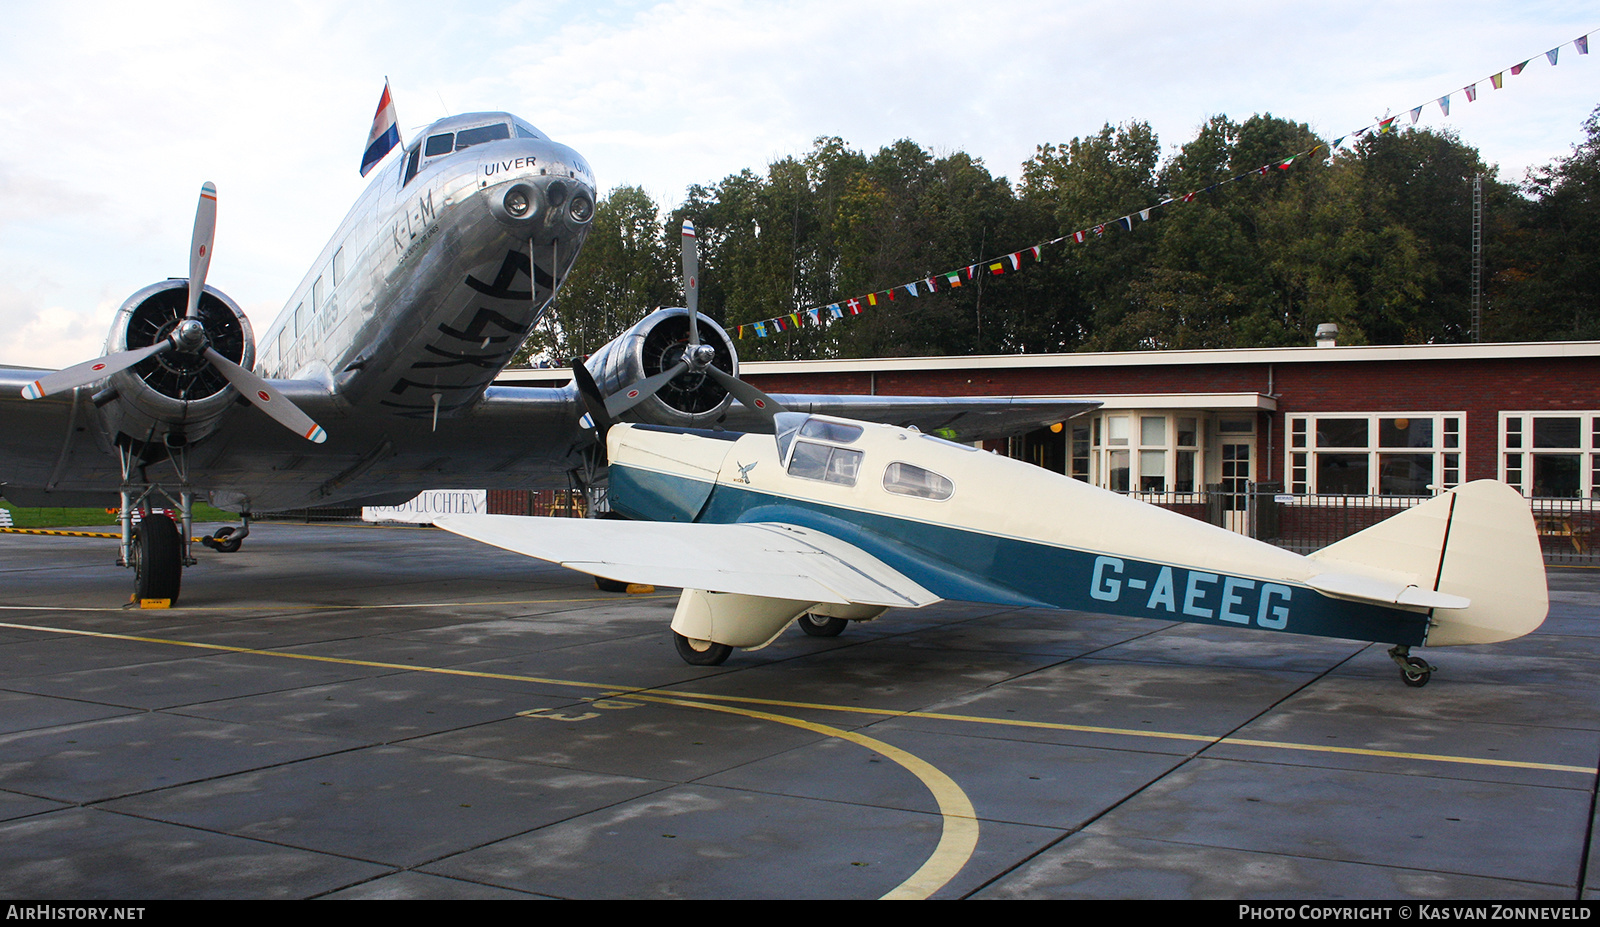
{"x":118,"y":113}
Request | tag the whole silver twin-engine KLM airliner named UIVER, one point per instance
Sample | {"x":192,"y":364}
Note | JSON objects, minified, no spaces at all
{"x":375,"y":382}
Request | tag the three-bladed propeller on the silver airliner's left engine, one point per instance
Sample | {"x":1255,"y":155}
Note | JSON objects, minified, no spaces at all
{"x":190,"y":337}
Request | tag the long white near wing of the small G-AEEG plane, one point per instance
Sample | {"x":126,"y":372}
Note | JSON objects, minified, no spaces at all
{"x":770,"y":561}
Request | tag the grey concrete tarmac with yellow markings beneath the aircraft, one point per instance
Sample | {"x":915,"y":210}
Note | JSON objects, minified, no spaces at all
{"x":401,"y":713}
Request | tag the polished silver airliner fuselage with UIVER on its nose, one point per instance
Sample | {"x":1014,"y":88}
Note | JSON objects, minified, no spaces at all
{"x":439,"y":270}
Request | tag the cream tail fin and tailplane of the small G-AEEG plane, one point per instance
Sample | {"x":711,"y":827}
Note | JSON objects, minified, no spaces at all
{"x":1471,"y":555}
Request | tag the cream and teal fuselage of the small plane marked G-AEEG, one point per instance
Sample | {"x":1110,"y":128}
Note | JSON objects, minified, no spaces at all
{"x":980,"y":528}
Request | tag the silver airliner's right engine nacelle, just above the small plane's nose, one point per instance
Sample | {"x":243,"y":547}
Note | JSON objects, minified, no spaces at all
{"x":658,"y":343}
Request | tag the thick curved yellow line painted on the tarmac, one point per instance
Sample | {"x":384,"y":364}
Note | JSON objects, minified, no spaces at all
{"x":959,"y":835}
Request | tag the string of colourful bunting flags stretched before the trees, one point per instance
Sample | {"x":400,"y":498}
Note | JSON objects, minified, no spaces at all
{"x":1012,"y":263}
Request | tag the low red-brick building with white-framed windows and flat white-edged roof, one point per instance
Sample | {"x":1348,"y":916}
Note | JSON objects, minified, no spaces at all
{"x":1380,"y":420}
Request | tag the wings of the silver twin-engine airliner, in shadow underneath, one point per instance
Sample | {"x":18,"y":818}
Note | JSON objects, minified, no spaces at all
{"x":521,"y":438}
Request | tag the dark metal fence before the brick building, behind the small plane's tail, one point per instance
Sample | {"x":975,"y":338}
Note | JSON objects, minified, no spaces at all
{"x":1305,"y":524}
